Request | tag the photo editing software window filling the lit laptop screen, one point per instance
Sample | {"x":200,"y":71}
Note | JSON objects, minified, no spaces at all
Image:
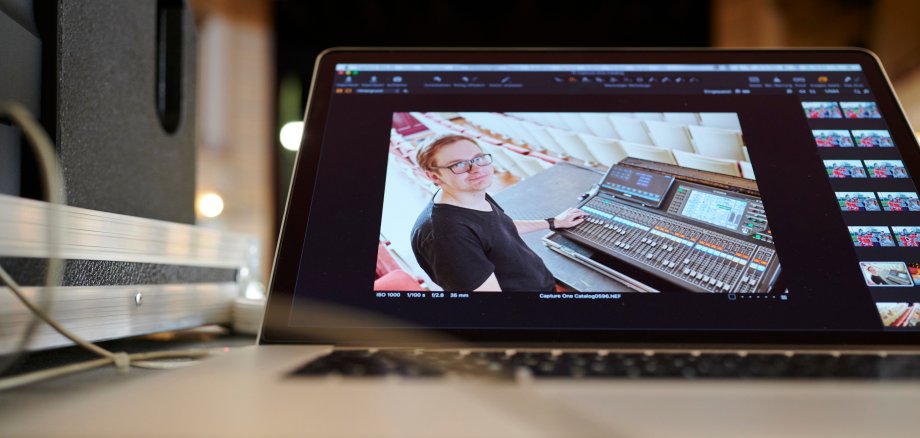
{"x":627,"y":196}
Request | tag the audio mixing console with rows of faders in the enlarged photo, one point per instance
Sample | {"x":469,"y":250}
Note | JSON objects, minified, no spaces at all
{"x":693,"y":238}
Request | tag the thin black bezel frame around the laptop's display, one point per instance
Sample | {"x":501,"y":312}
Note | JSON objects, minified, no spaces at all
{"x":275,"y":328}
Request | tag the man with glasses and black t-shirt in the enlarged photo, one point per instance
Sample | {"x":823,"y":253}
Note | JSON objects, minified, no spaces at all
{"x":463,"y":239}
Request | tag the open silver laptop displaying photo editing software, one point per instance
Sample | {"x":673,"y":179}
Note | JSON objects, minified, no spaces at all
{"x":579,"y":242}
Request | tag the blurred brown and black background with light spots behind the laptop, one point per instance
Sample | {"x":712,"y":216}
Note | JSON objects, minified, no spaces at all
{"x":254,"y":61}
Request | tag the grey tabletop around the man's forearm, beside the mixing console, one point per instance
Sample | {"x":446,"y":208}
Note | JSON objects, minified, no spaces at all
{"x":546,"y":194}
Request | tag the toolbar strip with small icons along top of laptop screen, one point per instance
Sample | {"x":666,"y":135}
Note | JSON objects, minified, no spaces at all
{"x":718,"y":79}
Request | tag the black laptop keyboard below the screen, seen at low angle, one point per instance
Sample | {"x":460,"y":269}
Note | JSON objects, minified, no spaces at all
{"x":592,"y":365}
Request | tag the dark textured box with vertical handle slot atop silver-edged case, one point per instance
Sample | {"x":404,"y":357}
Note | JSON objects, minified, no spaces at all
{"x":122,"y":90}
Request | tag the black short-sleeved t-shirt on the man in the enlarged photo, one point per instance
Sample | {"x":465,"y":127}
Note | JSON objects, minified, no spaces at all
{"x":459,"y":248}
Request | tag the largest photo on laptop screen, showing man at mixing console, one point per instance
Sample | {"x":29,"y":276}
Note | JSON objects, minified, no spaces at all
{"x":472,"y":197}
